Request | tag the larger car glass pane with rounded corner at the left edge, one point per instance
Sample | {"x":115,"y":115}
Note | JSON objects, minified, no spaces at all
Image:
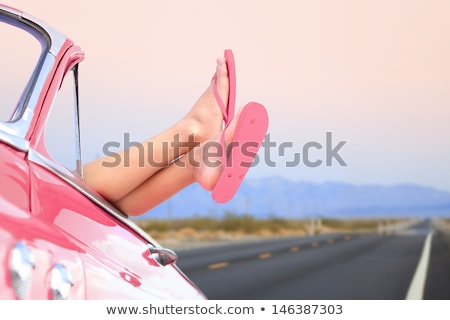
{"x":19,"y":53}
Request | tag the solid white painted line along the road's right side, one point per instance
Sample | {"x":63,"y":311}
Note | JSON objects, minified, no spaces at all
{"x":415,"y":291}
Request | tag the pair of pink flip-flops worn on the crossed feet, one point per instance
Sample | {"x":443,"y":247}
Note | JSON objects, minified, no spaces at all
{"x":250,"y":131}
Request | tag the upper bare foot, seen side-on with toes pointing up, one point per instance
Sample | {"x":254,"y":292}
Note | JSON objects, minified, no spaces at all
{"x":205,"y":120}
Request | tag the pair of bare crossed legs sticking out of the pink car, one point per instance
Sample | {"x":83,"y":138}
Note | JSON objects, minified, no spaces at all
{"x":136,"y":186}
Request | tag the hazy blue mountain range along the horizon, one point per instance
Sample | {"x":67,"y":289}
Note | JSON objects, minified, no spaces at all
{"x":275,"y":196}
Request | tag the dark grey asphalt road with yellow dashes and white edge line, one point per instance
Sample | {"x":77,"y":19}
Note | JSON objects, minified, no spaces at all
{"x":332,"y":266}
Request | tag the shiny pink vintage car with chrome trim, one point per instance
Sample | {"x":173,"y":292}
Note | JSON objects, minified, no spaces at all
{"x":59,"y":239}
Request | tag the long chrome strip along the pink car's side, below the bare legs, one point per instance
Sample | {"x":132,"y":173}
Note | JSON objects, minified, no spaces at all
{"x":74,"y":181}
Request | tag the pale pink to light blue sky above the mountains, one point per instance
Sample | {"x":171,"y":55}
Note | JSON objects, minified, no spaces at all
{"x":375,"y":74}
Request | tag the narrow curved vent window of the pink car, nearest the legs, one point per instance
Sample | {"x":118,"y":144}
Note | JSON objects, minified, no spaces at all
{"x":60,"y":127}
